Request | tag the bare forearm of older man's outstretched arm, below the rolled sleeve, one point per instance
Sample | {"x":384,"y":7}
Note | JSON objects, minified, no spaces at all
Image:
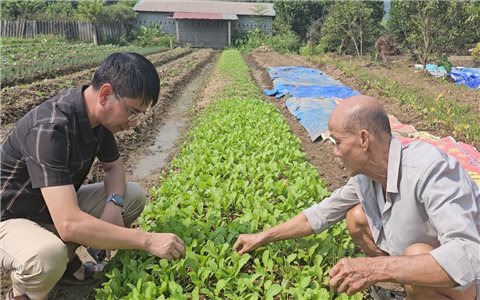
{"x":296,"y":227}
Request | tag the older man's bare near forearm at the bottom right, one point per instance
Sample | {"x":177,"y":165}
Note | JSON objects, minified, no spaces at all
{"x":420,"y":270}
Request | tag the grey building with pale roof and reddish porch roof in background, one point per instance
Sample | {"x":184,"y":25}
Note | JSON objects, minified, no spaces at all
{"x":205,"y":23}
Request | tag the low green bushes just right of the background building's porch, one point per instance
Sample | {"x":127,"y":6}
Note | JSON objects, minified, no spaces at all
{"x":282,"y":42}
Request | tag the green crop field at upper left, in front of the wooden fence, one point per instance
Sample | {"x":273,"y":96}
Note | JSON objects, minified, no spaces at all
{"x":25,"y":61}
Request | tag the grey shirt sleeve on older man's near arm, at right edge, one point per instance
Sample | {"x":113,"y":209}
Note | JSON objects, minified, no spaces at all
{"x":452,"y":203}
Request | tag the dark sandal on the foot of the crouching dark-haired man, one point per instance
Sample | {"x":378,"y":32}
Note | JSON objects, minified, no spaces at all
{"x":89,"y":270}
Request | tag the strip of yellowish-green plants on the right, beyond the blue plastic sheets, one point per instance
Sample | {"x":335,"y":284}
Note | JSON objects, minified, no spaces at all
{"x":461,"y":119}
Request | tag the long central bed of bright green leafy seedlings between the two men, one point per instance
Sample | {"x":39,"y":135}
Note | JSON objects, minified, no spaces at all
{"x":240,"y":170}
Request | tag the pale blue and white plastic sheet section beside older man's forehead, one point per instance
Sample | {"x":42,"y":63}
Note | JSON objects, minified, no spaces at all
{"x":312,"y":113}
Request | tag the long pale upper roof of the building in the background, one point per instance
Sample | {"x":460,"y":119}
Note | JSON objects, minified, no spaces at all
{"x":200,"y":6}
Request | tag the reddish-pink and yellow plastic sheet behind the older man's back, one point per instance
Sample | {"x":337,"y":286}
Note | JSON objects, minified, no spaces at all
{"x":467,"y":155}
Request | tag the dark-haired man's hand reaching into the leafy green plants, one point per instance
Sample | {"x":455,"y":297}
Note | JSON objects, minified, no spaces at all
{"x":166,"y":245}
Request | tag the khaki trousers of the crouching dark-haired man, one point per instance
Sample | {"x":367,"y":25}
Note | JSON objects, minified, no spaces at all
{"x":35,"y":255}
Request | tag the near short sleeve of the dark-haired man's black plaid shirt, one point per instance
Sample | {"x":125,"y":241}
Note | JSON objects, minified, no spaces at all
{"x":46,"y":149}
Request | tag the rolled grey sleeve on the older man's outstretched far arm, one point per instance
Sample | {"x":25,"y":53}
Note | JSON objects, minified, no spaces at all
{"x":332,"y":209}
